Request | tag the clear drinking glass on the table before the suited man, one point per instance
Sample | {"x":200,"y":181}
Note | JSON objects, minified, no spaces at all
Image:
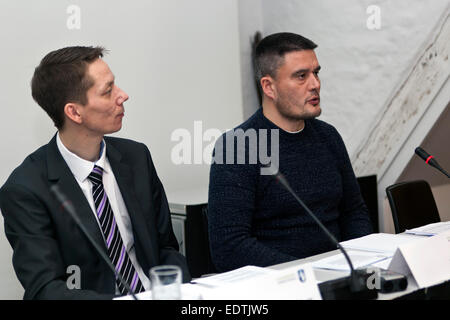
{"x":166,"y":282}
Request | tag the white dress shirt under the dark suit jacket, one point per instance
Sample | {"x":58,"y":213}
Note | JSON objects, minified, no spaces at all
{"x":81,"y":169}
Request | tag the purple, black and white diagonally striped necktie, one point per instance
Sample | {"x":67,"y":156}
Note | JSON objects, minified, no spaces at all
{"x":116,"y":249}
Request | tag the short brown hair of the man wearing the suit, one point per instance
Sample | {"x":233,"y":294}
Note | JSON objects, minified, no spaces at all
{"x":61,"y":78}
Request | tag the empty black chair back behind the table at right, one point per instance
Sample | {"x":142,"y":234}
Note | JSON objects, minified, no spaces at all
{"x":412,"y":204}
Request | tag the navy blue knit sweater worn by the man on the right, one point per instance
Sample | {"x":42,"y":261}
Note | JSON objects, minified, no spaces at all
{"x":253,"y":220}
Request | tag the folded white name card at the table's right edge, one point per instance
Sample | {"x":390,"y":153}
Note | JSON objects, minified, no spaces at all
{"x":427,"y":260}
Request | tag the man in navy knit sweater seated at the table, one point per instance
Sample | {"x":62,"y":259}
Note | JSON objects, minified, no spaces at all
{"x":252,"y":219}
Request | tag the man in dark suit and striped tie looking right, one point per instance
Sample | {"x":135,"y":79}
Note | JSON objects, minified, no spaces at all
{"x":111,"y":182}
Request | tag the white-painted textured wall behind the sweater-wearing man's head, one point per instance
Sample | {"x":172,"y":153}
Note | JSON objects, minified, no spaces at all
{"x":360,"y":67}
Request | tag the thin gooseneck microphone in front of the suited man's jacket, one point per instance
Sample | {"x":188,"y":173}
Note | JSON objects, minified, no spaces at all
{"x":68,"y":206}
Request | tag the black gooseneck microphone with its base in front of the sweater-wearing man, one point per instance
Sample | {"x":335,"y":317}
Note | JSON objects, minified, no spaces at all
{"x":352,"y":287}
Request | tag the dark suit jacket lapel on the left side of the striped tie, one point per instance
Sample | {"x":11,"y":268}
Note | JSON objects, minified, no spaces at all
{"x":59,"y":173}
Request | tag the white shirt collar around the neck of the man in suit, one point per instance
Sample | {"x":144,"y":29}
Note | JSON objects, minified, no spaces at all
{"x":81,"y":168}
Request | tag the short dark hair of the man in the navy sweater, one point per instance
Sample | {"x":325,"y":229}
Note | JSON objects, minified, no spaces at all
{"x":270,"y":51}
